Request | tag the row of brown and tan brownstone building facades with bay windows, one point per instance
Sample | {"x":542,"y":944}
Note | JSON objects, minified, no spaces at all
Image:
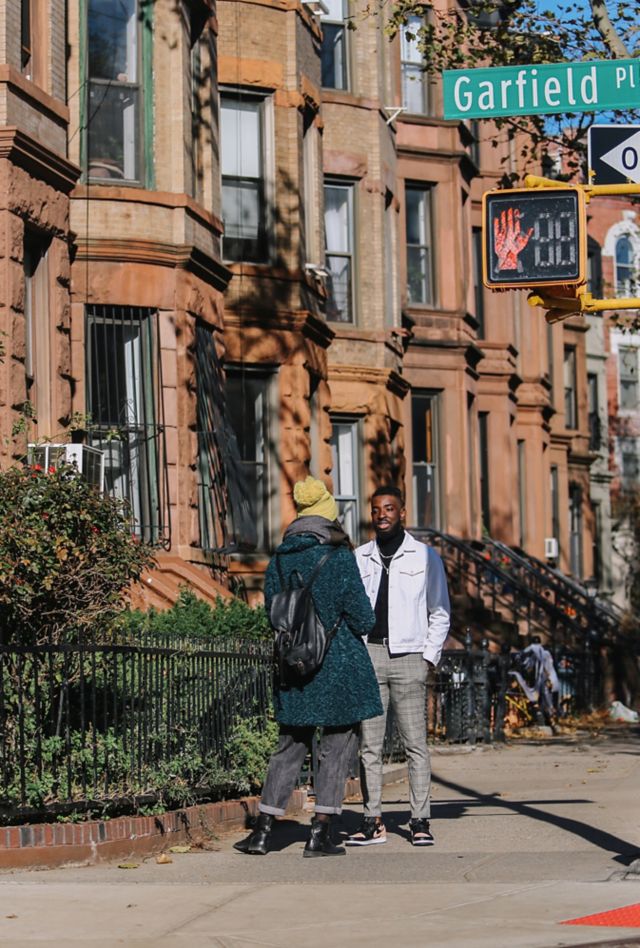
{"x":241,"y":243}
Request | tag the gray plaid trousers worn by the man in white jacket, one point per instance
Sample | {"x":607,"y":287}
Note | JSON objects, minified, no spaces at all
{"x":403,"y":683}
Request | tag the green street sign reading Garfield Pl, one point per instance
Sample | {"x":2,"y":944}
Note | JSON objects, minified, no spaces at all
{"x":540,"y":90}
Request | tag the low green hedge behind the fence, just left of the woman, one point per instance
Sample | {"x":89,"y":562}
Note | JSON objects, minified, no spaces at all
{"x":192,"y":617}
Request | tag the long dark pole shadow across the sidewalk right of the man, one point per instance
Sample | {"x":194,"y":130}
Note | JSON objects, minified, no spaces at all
{"x":625,"y":852}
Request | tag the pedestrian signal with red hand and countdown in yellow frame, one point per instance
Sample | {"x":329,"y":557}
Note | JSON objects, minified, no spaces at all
{"x":534,"y":237}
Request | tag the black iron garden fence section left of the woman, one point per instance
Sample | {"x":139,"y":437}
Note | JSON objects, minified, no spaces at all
{"x":88,"y":722}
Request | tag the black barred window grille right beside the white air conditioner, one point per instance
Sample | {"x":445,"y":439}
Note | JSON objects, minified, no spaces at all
{"x":125,"y":407}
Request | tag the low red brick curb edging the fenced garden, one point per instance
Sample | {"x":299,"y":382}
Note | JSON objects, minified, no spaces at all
{"x":48,"y":845}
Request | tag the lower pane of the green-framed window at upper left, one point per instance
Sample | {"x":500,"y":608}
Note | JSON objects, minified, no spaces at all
{"x":113,"y":131}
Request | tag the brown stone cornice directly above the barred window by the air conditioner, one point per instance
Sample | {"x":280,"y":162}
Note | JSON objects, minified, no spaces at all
{"x":155,"y":253}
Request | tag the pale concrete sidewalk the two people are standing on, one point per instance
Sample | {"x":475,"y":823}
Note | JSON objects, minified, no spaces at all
{"x":526,"y":837}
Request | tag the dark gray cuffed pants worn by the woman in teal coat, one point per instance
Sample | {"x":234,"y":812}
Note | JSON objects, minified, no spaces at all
{"x":335,"y":751}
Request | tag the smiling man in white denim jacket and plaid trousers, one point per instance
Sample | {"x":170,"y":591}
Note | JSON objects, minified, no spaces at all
{"x":407,"y":587}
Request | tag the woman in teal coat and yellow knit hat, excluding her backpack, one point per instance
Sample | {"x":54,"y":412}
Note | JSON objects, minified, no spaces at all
{"x":343,"y":692}
